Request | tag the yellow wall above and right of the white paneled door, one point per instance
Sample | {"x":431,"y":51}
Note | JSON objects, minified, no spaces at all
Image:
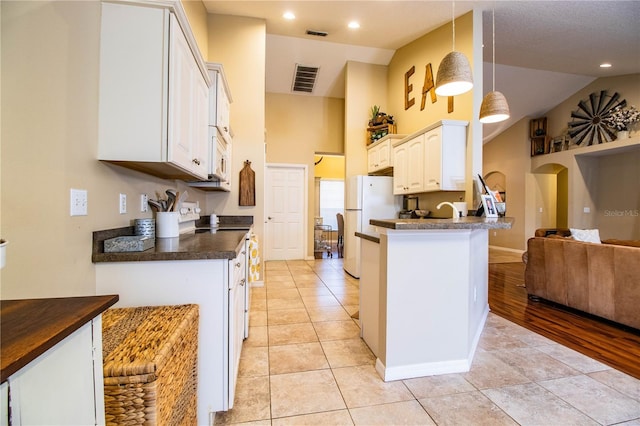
{"x":297,"y":127}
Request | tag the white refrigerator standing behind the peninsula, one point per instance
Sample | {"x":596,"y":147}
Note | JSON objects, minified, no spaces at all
{"x":367,"y":197}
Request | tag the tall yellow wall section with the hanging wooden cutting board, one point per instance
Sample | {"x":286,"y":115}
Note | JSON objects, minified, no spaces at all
{"x":245,"y":73}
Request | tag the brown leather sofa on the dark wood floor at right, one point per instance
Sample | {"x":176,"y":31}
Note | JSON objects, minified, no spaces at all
{"x":600,"y":279}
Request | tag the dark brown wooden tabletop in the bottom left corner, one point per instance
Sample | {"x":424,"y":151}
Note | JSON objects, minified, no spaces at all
{"x":29,"y":327}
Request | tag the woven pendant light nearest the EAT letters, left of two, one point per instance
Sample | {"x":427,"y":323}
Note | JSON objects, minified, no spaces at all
{"x":454,"y":73}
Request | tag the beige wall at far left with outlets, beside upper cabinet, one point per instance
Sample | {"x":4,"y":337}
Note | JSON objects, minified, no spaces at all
{"x":50,"y":58}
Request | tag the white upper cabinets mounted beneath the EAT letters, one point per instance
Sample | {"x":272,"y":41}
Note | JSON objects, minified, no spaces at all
{"x":432,"y":159}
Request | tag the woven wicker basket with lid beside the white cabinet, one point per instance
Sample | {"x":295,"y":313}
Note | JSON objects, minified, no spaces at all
{"x":150,"y":365}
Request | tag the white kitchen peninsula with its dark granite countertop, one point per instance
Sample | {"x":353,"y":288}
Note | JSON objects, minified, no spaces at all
{"x":424,"y":293}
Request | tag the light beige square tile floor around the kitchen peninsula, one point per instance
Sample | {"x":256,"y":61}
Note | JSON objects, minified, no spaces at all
{"x":305,"y":364}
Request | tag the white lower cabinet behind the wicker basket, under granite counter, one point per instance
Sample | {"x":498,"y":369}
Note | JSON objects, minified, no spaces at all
{"x":218,"y":287}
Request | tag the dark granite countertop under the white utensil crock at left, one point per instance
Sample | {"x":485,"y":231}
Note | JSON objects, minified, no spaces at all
{"x":223,"y":244}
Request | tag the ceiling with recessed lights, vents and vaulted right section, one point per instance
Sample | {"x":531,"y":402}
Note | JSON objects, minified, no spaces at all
{"x":545,"y":50}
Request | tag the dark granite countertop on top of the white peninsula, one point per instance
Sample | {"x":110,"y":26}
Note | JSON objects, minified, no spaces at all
{"x":467,"y":222}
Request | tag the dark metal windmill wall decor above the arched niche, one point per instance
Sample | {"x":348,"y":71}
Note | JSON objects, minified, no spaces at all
{"x":587,"y":125}
